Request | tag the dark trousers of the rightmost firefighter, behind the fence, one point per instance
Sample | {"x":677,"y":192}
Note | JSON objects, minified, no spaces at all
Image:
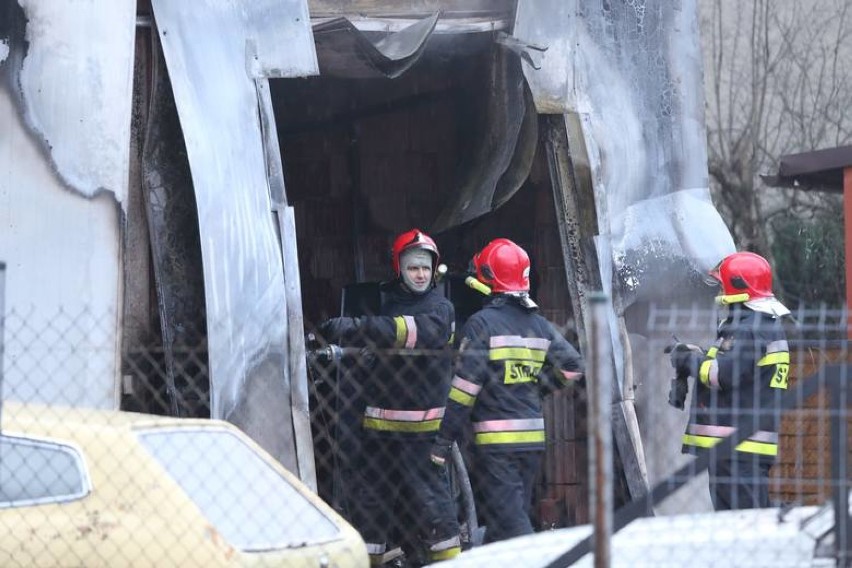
{"x":741,"y":483}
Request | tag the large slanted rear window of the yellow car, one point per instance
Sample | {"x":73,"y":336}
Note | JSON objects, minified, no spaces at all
{"x":244,"y":498}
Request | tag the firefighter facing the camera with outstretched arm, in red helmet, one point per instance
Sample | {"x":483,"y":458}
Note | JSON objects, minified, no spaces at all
{"x":404,"y":393}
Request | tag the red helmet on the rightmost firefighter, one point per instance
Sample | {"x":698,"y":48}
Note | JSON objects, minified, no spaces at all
{"x":744,"y":276}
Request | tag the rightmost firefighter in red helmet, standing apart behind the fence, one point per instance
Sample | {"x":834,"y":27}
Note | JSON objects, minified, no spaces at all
{"x":740,"y":380}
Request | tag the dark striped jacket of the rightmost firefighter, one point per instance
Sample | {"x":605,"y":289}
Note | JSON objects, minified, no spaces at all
{"x":739,"y":385}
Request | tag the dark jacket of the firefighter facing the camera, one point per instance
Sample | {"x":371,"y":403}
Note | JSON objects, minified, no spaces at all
{"x":406,"y":386}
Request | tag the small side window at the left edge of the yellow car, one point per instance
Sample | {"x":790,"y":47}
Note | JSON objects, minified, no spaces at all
{"x":36,"y":471}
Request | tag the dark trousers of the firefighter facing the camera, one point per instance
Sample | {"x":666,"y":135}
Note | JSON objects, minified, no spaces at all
{"x":398,"y":488}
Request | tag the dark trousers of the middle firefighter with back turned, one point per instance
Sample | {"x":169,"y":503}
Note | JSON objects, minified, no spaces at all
{"x":504,"y":486}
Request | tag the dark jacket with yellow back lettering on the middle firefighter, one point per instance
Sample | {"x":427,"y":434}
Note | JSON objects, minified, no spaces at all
{"x":508,"y":353}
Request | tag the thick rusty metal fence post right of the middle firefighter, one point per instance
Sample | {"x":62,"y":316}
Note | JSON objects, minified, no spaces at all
{"x":600,"y":429}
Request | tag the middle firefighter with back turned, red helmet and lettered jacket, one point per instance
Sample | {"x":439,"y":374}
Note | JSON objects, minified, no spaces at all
{"x":509,"y":356}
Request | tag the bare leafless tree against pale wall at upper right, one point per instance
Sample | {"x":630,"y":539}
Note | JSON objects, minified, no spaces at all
{"x":776,"y":82}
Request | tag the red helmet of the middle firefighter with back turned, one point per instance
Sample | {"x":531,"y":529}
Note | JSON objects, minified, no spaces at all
{"x":503,"y":266}
